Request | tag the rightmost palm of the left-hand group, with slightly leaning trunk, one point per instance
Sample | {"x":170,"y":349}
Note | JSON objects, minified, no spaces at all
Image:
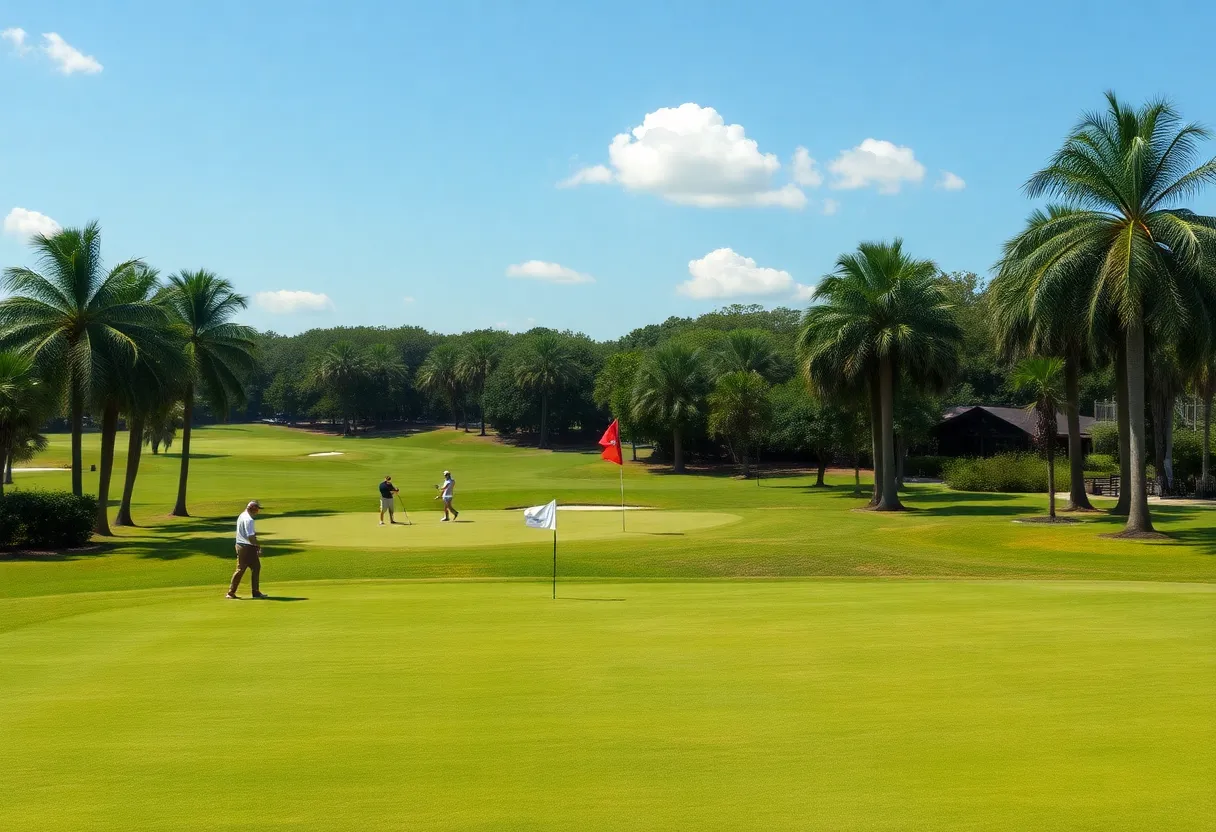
{"x":221,"y":355}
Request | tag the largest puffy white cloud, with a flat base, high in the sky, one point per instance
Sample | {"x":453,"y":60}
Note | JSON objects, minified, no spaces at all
{"x":690,"y":156}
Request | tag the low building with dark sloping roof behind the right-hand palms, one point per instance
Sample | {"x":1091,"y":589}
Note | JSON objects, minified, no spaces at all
{"x":983,"y":431}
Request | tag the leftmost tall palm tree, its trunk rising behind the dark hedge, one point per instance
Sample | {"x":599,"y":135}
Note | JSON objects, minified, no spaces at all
{"x":77,"y":321}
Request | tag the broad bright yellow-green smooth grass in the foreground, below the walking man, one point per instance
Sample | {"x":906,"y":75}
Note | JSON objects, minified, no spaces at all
{"x":691,"y":706}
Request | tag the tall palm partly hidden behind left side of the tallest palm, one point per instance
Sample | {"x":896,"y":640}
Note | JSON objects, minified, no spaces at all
{"x":1029,"y":323}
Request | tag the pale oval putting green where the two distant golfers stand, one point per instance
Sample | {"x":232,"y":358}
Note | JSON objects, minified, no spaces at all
{"x":478,"y":529}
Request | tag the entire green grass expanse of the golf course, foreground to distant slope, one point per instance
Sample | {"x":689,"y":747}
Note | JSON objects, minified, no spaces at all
{"x":943,"y":670}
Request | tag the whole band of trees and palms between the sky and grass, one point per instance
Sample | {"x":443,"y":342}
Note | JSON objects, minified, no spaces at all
{"x":1108,"y":291}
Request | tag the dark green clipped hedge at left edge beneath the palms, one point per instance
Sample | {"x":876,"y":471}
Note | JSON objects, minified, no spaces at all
{"x":47,"y":520}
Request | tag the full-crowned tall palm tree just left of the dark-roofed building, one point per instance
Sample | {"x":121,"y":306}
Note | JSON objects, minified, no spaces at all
{"x":885,"y":314}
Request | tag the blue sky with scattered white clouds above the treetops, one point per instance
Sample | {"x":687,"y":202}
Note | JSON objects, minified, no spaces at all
{"x":399,"y":160}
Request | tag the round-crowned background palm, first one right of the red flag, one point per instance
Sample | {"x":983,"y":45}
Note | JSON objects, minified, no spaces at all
{"x":671,"y":391}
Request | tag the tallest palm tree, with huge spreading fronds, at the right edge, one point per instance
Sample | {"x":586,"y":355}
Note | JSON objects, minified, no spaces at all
{"x":1122,"y":176}
